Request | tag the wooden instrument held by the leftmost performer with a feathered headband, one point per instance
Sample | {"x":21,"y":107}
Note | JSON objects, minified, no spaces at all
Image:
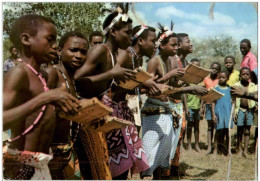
{"x":140,"y":77}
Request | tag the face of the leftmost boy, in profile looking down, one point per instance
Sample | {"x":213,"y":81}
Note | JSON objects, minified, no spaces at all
{"x":43,"y":44}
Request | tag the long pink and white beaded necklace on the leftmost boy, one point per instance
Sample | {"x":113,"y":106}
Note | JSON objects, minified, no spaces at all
{"x":36,"y":121}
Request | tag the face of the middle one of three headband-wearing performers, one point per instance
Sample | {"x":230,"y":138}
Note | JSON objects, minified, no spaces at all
{"x":148,"y":45}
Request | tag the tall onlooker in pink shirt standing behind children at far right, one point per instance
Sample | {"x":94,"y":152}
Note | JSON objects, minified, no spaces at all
{"x":249,"y":59}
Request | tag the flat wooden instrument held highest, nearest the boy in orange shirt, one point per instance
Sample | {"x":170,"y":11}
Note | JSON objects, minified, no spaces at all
{"x":194,"y":74}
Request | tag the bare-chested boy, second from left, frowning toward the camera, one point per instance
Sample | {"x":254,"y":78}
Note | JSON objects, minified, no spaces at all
{"x":72,"y":50}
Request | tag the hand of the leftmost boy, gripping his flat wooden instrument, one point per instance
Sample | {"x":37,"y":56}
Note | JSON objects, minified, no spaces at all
{"x":64,"y":100}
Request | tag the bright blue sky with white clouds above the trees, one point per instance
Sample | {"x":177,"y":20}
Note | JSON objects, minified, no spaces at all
{"x":236,"y":19}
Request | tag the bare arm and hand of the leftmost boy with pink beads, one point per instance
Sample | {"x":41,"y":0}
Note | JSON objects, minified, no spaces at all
{"x":16,"y":106}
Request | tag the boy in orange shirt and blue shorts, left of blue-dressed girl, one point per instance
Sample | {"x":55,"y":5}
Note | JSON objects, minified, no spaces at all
{"x":211,"y":82}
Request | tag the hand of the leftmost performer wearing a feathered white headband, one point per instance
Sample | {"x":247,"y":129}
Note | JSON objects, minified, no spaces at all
{"x":122,"y":74}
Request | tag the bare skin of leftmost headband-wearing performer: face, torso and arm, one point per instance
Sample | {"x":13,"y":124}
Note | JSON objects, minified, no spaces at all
{"x":98,"y":67}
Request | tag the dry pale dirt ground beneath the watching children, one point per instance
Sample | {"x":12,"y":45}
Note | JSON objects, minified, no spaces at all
{"x":199,"y":166}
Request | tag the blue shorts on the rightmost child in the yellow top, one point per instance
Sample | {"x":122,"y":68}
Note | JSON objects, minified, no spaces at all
{"x":241,"y":118}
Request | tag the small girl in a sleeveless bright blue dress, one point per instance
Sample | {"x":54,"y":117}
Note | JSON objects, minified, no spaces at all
{"x":221,"y":111}
